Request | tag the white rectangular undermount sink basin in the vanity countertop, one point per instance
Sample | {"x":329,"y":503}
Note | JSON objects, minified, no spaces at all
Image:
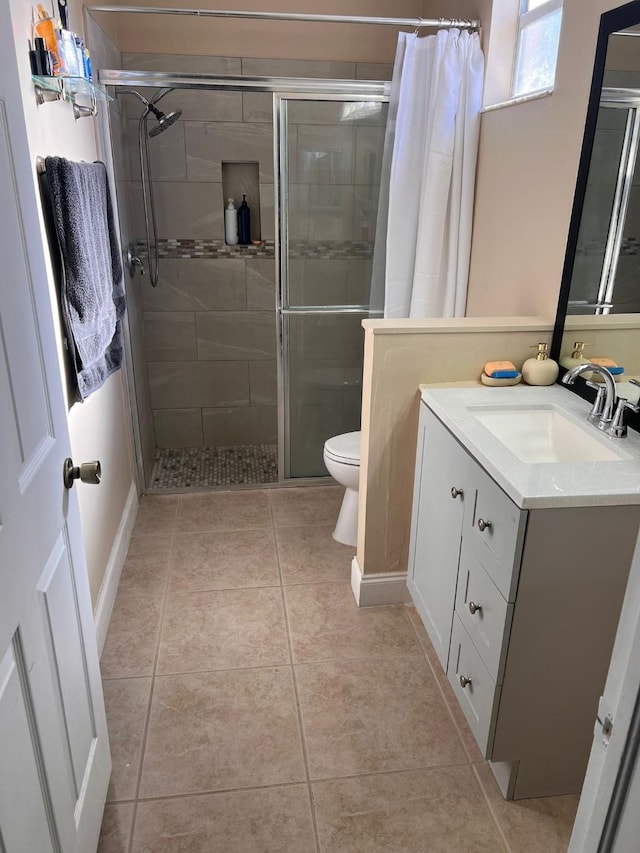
{"x":544,"y":435}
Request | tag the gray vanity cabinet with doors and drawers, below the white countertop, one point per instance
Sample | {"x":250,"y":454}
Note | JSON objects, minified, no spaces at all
{"x":521,"y":606}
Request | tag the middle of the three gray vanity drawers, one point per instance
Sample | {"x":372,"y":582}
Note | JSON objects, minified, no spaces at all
{"x":484,"y":612}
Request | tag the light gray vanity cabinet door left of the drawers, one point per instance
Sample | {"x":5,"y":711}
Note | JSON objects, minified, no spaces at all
{"x":441,"y":493}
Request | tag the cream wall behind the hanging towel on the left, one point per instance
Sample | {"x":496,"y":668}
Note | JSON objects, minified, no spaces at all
{"x":99,"y":428}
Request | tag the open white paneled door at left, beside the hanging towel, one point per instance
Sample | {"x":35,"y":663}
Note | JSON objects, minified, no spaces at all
{"x":54,"y":753}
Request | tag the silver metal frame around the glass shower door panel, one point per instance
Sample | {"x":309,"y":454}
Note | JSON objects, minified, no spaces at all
{"x":283,"y":306}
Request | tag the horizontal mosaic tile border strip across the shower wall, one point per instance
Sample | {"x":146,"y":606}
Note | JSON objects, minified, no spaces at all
{"x":326,"y":250}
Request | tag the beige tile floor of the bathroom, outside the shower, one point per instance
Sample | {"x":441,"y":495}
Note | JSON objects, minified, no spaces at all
{"x":253,"y":708}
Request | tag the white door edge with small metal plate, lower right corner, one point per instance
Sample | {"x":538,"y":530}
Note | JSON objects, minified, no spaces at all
{"x":608,"y":819}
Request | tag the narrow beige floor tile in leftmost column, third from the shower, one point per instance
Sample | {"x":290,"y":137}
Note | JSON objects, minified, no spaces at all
{"x":130,"y":646}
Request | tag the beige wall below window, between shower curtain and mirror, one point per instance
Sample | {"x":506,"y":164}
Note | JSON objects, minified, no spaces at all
{"x":527,"y":169}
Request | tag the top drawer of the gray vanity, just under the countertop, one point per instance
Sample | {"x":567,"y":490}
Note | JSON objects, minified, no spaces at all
{"x":496,"y":533}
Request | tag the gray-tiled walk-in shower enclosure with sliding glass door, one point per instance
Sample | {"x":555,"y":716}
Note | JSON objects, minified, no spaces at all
{"x":246,"y":358}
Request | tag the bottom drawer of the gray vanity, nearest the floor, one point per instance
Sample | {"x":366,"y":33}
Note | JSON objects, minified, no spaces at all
{"x":479,"y":698}
